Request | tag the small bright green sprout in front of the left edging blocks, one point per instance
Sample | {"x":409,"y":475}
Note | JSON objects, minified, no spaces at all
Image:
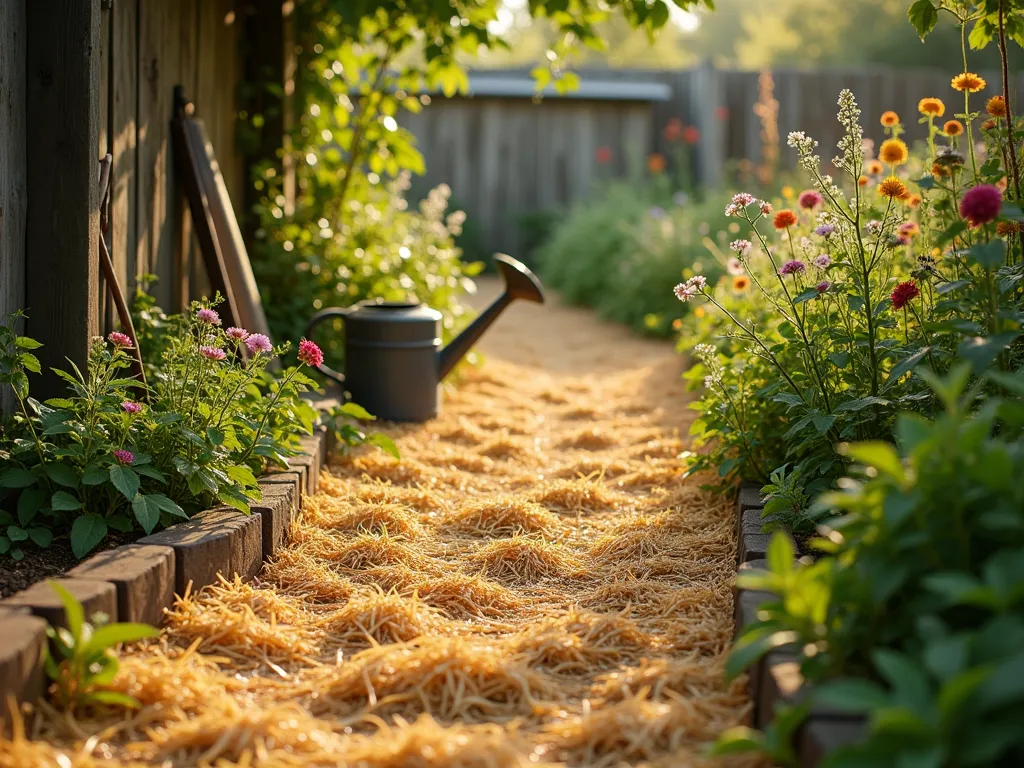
{"x":81,"y":662}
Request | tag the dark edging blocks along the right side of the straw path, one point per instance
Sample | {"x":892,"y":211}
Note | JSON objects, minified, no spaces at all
{"x":776,"y":679}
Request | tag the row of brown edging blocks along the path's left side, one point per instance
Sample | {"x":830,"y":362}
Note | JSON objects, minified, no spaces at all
{"x":138,"y":582}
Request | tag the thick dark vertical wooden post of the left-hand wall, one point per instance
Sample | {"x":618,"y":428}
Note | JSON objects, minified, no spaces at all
{"x":63,"y":223}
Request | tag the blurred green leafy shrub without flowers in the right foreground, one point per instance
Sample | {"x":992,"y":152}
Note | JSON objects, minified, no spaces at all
{"x":916,"y":617}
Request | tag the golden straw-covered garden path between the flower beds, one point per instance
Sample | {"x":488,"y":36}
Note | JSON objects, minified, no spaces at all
{"x":534,"y":584}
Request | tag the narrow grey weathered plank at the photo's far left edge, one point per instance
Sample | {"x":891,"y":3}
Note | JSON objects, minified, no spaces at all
{"x":14,"y":183}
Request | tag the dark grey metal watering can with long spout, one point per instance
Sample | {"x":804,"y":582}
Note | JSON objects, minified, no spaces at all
{"x":394,"y":357}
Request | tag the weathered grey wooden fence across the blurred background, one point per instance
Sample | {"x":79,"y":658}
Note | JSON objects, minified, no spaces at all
{"x":508,"y":156}
